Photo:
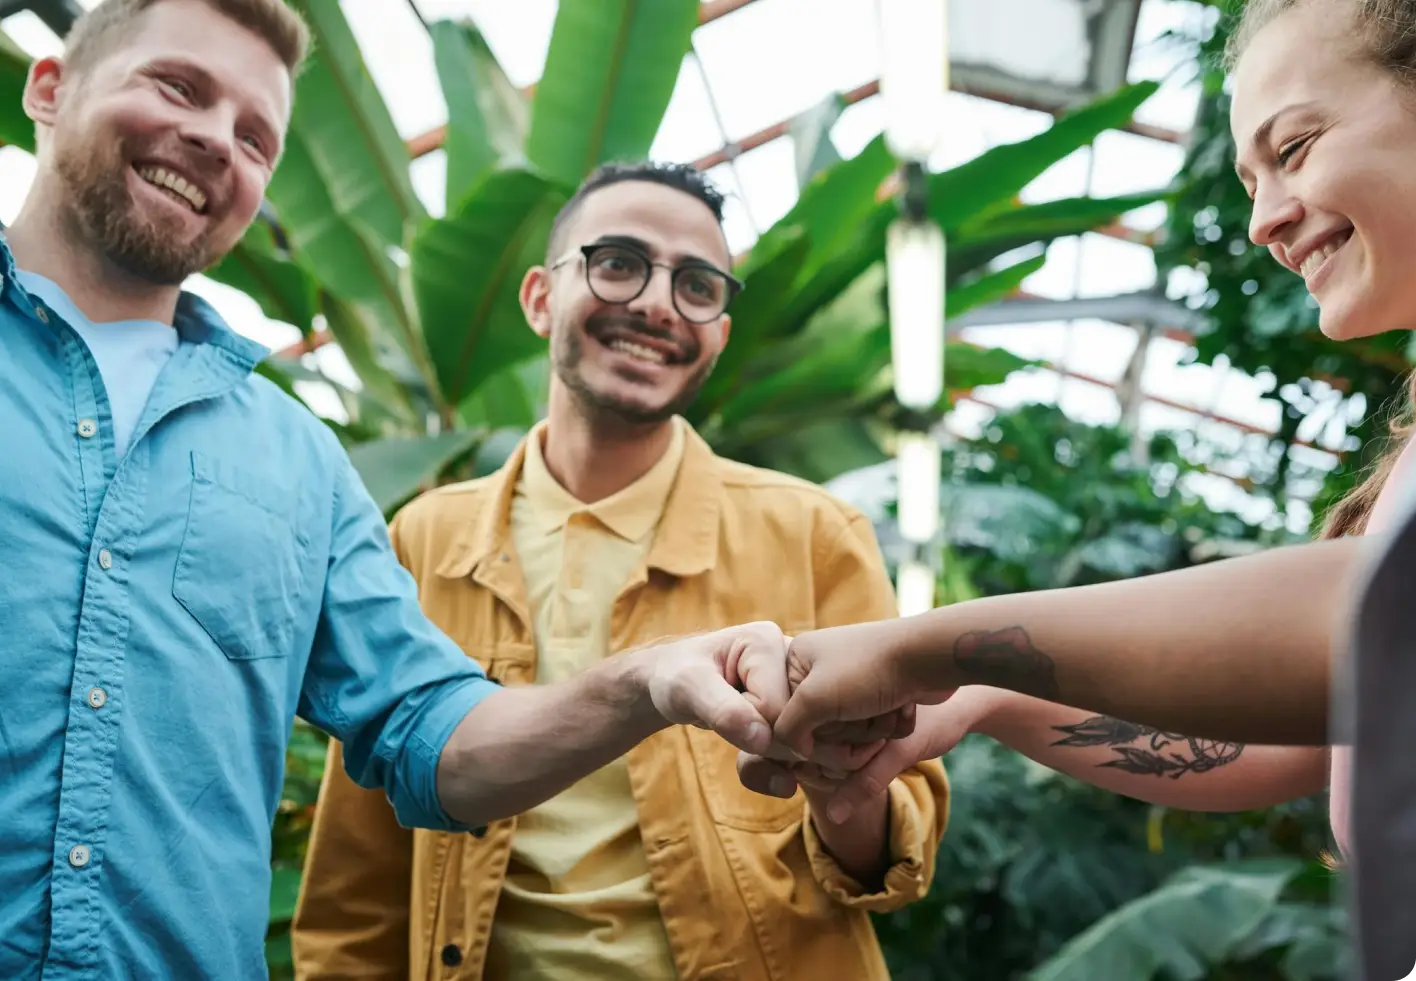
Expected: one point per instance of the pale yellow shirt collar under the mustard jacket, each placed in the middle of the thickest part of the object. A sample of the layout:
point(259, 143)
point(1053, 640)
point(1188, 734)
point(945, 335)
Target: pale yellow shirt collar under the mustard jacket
point(631, 513)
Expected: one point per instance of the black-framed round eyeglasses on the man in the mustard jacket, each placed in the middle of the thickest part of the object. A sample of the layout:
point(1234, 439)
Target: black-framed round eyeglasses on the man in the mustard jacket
point(619, 274)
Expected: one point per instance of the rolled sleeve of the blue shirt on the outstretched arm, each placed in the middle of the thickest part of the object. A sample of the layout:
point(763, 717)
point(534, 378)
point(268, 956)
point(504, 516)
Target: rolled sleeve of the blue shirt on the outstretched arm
point(383, 679)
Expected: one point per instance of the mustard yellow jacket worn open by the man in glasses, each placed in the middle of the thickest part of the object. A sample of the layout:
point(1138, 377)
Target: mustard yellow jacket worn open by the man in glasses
point(744, 887)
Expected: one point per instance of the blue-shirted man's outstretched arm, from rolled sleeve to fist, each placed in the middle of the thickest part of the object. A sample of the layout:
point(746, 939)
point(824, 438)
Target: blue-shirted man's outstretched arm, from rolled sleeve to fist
point(454, 751)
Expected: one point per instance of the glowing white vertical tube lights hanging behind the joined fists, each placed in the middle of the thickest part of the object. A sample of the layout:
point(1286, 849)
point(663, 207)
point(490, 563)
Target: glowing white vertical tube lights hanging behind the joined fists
point(914, 84)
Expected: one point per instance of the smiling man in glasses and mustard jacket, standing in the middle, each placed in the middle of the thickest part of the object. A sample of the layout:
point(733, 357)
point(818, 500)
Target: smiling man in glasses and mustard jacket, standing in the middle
point(611, 526)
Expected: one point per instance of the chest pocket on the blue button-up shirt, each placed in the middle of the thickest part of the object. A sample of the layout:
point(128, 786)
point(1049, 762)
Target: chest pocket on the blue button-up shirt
point(239, 567)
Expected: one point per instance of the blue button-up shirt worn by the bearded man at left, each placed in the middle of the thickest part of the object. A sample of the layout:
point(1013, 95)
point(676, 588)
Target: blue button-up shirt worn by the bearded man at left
point(164, 618)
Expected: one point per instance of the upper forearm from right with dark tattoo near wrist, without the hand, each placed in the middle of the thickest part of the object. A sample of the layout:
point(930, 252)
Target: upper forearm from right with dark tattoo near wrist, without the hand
point(1231, 650)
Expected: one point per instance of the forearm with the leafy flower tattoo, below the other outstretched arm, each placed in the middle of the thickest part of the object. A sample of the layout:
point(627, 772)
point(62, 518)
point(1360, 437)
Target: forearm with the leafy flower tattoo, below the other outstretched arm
point(1143, 762)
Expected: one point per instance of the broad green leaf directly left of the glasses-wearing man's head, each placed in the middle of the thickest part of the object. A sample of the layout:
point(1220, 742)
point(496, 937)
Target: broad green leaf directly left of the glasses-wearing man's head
point(467, 275)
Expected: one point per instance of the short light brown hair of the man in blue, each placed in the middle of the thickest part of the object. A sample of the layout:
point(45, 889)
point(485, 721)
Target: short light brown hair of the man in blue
point(98, 32)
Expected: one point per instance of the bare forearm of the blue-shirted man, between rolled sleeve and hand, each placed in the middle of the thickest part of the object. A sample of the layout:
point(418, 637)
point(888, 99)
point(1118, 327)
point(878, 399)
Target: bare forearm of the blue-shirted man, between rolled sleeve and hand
point(527, 744)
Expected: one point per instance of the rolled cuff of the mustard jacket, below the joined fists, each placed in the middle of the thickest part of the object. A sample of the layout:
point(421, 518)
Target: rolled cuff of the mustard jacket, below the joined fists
point(907, 880)
